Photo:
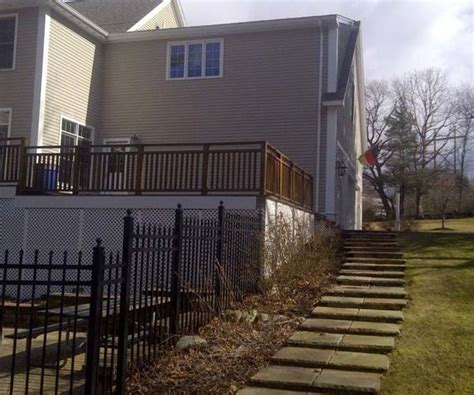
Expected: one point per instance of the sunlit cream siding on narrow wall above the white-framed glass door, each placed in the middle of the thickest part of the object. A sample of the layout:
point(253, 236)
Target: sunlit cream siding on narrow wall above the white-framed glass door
point(74, 79)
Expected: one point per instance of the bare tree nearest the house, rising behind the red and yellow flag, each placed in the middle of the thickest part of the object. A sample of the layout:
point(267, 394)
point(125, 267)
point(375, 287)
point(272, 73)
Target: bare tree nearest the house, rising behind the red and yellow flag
point(379, 107)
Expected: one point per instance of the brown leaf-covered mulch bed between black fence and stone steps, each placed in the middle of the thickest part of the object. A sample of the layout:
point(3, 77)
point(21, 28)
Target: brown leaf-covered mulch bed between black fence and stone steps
point(234, 351)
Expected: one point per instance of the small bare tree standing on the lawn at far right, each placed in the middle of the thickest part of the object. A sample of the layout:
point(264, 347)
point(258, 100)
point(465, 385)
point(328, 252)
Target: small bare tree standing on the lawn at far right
point(443, 193)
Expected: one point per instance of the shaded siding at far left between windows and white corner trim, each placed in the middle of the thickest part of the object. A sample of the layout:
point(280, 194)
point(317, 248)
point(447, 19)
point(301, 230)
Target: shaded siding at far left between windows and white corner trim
point(17, 86)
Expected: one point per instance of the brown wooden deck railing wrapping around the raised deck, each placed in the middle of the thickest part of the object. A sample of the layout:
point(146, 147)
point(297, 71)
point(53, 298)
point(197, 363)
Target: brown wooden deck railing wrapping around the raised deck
point(242, 168)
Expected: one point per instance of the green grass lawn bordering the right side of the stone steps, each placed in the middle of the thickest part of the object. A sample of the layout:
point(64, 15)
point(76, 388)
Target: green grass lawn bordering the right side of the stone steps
point(435, 353)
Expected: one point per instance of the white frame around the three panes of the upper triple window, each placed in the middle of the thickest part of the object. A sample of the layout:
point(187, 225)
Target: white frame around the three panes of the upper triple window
point(203, 59)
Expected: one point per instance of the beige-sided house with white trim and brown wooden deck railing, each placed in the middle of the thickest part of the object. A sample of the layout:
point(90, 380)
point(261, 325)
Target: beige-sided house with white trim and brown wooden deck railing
point(270, 109)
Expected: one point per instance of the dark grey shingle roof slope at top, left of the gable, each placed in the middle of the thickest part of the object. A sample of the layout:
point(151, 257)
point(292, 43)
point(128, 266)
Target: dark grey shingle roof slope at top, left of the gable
point(115, 16)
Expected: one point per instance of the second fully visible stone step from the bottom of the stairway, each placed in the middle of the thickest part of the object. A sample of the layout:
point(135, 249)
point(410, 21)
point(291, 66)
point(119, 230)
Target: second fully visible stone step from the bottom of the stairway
point(332, 359)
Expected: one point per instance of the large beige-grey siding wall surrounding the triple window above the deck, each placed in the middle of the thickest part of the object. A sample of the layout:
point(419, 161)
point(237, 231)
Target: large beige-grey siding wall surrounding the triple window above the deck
point(269, 91)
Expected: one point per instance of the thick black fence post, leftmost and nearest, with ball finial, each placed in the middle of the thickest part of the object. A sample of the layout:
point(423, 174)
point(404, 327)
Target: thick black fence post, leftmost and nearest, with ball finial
point(95, 316)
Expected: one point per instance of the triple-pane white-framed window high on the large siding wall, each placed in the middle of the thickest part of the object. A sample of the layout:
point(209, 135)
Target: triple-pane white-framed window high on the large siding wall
point(195, 59)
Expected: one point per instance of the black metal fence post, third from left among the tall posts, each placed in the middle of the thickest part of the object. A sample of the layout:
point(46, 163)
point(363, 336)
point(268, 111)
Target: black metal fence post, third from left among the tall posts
point(176, 271)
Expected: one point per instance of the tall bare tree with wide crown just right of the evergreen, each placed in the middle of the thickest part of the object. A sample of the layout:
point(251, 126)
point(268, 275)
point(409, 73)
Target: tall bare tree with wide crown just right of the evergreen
point(428, 98)
